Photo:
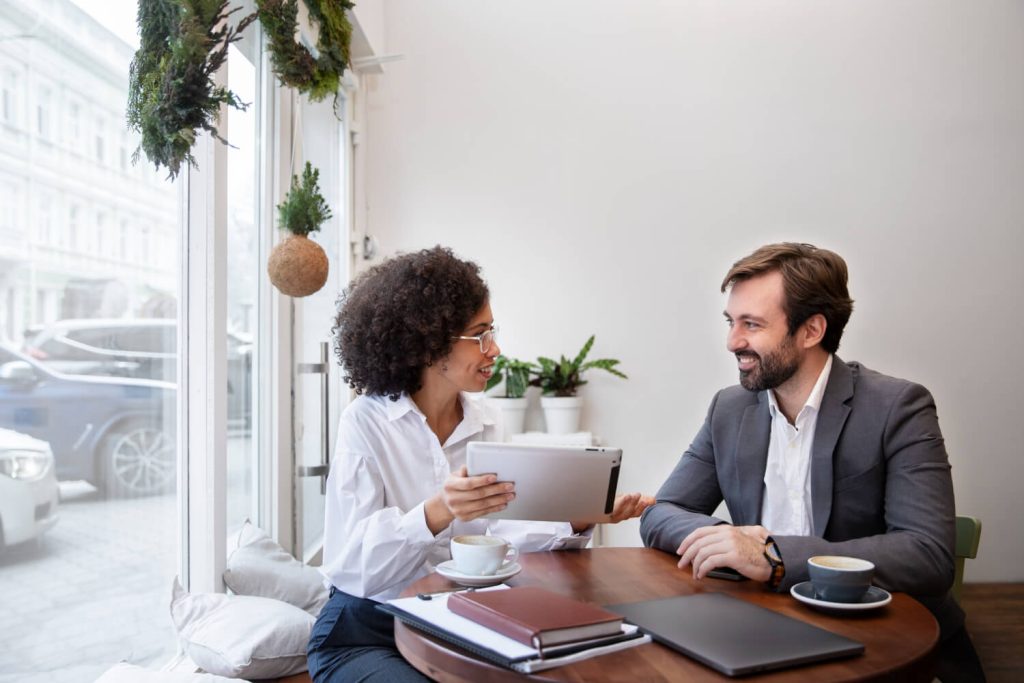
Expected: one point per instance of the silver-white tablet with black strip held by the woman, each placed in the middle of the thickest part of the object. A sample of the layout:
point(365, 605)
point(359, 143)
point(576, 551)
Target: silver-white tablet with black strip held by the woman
point(552, 483)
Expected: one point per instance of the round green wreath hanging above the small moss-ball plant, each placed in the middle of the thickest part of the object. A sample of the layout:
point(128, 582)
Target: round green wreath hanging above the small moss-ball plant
point(294, 65)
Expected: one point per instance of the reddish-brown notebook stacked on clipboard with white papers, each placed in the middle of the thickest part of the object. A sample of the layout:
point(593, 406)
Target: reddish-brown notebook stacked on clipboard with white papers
point(525, 629)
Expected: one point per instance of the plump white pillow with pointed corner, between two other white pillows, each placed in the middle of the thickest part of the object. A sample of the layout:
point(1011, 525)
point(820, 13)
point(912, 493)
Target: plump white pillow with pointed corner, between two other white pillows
point(241, 636)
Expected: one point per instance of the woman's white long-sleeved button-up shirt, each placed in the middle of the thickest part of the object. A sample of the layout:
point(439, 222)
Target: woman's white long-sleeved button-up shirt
point(388, 463)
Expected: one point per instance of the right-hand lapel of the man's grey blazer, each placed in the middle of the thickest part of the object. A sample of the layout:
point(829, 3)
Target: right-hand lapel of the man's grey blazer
point(832, 418)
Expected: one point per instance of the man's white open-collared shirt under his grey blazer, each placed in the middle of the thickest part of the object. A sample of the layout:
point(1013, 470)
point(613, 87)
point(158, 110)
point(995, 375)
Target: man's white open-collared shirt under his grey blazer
point(787, 507)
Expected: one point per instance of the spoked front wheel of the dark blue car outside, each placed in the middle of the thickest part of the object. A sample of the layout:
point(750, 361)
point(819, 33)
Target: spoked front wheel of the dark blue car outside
point(139, 459)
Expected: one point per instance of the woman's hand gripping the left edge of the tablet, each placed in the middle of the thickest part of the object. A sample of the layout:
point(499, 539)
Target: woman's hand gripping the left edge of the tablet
point(467, 498)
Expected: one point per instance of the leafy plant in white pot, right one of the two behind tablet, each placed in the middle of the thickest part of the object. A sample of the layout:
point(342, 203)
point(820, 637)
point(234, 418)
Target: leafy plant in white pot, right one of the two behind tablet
point(560, 382)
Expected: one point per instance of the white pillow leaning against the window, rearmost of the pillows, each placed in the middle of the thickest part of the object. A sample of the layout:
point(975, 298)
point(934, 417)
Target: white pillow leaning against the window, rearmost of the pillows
point(261, 567)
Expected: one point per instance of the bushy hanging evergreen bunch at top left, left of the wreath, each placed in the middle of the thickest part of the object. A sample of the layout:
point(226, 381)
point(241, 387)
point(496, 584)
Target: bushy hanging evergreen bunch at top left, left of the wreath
point(172, 93)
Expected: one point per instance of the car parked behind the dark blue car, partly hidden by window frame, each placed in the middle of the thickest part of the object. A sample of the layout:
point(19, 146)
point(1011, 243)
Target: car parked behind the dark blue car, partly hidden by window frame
point(137, 348)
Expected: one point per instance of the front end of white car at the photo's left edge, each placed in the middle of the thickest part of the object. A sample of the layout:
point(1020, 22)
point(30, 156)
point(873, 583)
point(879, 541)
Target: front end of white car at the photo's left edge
point(29, 492)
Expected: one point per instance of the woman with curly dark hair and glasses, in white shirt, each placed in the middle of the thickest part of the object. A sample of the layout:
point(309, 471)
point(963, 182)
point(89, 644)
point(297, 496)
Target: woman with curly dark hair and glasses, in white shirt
point(413, 336)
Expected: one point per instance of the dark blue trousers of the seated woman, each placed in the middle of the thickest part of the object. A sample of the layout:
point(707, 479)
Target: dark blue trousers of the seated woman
point(353, 642)
